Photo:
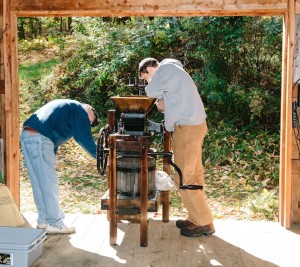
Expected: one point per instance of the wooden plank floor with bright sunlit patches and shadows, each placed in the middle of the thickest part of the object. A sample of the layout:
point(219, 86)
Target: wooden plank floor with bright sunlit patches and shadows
point(235, 243)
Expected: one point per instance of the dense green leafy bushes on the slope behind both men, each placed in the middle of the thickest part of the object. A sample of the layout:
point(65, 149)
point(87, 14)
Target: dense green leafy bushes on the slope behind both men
point(235, 61)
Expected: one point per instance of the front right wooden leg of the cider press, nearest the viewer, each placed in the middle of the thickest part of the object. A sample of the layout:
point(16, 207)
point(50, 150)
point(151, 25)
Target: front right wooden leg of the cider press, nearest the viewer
point(144, 191)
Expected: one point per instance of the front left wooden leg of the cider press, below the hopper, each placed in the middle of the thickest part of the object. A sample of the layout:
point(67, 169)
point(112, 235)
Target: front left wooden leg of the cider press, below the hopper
point(113, 189)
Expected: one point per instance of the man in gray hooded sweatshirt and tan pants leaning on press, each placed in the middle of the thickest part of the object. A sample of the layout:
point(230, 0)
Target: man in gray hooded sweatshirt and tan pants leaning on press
point(184, 114)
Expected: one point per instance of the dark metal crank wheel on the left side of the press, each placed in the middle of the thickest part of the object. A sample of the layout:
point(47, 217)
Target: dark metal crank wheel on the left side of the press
point(102, 149)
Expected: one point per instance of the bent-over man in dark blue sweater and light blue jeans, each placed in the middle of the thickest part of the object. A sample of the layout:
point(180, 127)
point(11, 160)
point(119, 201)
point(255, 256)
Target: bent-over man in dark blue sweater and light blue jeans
point(43, 132)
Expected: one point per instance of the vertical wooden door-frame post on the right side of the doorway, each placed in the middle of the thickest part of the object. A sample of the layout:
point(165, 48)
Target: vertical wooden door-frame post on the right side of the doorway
point(286, 118)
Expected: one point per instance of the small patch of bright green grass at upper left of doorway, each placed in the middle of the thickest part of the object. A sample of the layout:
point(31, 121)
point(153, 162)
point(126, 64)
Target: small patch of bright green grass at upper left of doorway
point(37, 70)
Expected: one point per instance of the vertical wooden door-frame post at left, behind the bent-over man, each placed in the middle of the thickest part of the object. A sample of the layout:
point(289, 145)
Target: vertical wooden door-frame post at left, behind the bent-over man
point(11, 103)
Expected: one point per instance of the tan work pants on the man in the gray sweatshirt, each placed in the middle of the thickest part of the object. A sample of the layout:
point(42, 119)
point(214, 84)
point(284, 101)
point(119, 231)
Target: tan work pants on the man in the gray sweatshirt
point(187, 143)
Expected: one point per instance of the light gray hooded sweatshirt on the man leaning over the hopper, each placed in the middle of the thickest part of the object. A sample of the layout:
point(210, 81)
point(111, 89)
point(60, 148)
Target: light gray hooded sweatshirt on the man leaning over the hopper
point(182, 102)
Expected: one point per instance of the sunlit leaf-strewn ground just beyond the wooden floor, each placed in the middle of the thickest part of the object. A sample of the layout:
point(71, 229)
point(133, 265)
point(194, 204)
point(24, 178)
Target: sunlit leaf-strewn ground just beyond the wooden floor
point(230, 195)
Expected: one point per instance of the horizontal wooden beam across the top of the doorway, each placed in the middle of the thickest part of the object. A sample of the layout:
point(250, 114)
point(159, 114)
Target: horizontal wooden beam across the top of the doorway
point(148, 8)
